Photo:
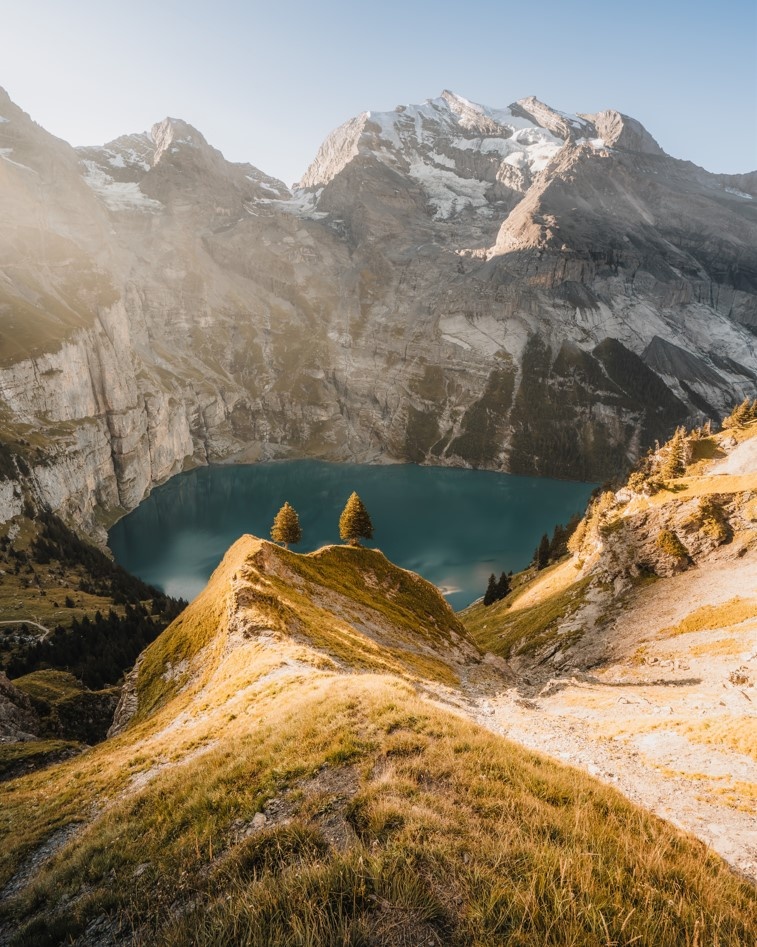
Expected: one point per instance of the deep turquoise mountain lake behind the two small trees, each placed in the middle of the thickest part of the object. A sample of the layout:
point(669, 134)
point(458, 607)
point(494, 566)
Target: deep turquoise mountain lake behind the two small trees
point(453, 526)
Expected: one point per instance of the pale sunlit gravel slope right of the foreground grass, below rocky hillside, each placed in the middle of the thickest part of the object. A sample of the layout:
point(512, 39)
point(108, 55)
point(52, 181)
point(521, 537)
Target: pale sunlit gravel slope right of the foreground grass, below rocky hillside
point(640, 720)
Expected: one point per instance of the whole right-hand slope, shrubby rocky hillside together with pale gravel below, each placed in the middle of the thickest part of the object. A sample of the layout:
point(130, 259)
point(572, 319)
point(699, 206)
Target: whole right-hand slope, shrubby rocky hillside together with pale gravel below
point(636, 658)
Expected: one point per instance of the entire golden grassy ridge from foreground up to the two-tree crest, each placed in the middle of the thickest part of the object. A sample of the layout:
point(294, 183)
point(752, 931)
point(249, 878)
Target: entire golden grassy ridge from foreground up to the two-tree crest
point(283, 769)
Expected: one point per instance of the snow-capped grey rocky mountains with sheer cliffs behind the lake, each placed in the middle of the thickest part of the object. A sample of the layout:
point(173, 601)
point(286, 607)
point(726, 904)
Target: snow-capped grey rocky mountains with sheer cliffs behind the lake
point(518, 289)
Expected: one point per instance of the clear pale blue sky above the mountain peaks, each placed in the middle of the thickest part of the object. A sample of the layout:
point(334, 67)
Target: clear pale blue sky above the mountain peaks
point(265, 82)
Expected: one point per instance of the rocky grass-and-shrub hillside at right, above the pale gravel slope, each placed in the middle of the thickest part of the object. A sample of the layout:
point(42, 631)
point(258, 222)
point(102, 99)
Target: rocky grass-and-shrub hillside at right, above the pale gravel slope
point(656, 526)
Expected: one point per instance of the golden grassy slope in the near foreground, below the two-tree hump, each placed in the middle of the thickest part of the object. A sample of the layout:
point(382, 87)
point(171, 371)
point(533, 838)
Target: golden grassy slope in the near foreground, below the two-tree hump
point(388, 822)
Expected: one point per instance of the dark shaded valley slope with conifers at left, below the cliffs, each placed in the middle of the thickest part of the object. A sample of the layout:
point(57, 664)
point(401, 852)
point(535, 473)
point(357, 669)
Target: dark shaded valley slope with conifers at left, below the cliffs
point(71, 624)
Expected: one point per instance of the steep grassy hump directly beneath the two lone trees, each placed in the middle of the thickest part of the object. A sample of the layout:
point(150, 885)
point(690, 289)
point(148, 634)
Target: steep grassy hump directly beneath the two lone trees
point(351, 604)
